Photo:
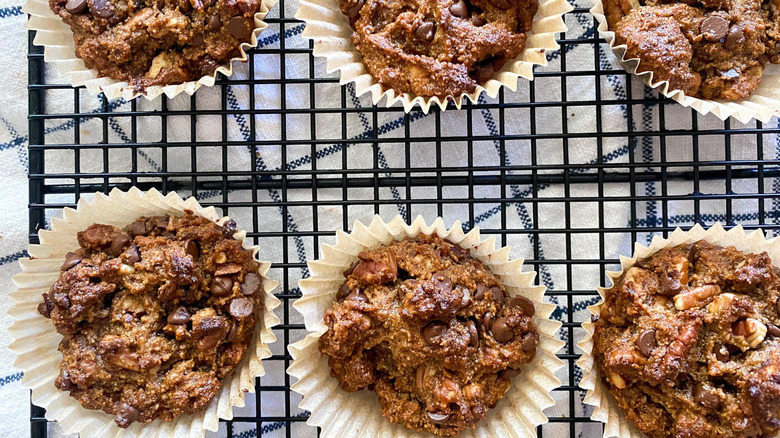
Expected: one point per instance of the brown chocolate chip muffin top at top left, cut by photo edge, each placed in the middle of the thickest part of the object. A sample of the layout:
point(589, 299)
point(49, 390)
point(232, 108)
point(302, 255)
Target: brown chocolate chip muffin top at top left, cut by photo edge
point(157, 42)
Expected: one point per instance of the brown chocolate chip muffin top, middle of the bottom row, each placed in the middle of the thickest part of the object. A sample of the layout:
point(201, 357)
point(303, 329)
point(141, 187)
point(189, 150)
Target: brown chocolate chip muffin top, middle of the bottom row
point(431, 330)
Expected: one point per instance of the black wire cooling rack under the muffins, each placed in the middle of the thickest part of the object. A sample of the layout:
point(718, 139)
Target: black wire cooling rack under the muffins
point(655, 190)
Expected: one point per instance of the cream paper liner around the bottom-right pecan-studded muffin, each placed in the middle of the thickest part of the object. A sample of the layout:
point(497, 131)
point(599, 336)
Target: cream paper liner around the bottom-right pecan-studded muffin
point(605, 407)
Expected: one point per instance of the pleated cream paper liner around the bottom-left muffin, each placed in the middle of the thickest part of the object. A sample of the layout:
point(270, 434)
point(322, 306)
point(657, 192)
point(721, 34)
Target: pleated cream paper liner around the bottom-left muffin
point(35, 339)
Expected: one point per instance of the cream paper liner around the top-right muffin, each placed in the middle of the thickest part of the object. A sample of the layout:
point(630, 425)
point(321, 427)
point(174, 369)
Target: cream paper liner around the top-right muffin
point(761, 105)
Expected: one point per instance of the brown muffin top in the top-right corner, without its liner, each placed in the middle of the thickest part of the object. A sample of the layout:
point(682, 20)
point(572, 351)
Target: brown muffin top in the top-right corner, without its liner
point(712, 49)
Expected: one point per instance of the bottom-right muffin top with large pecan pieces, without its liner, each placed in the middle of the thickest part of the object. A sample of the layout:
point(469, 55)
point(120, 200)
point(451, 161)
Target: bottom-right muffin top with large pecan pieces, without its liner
point(688, 343)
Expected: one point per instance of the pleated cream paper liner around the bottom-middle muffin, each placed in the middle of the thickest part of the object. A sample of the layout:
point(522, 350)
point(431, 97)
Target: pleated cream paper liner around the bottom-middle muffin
point(344, 415)
